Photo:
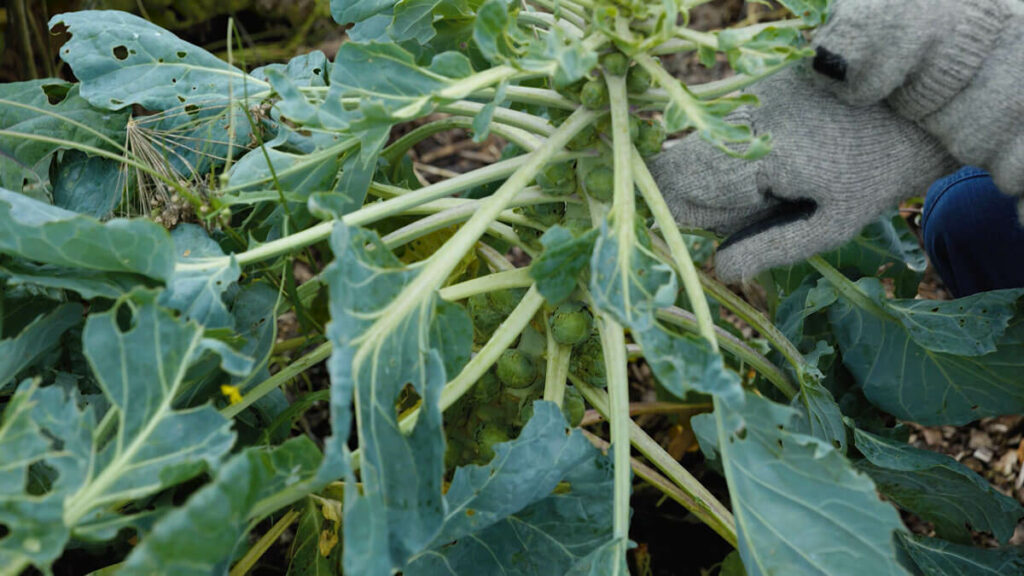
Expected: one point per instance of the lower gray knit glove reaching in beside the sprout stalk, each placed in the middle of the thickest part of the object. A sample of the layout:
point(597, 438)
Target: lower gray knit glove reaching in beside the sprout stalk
point(833, 170)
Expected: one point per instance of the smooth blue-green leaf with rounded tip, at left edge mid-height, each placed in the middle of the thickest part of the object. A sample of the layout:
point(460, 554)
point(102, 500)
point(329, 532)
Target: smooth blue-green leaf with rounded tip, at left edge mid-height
point(47, 234)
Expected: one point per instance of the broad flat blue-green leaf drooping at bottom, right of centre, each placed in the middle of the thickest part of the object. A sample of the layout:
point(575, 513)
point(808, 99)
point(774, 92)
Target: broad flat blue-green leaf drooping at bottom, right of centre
point(801, 508)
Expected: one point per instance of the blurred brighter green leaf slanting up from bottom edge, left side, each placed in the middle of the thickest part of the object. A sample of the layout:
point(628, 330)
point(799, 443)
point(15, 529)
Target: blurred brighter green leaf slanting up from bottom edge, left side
point(211, 525)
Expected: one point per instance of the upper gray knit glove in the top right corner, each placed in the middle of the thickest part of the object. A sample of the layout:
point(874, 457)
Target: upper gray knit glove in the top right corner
point(955, 67)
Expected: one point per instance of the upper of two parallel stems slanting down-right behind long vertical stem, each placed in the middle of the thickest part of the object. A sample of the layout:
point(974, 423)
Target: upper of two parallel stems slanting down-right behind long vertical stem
point(701, 503)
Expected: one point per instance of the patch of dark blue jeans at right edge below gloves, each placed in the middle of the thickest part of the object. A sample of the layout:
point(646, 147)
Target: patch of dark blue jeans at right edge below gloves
point(972, 234)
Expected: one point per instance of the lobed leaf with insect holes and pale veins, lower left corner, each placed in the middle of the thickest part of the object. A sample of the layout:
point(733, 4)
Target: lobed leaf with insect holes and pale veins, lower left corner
point(149, 447)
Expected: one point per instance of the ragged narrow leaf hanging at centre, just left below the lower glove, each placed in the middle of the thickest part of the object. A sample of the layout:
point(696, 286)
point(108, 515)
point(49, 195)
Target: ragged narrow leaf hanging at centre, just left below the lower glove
point(630, 283)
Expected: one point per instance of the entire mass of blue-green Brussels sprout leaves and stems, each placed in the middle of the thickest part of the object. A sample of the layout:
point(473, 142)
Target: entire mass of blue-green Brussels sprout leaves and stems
point(142, 377)
